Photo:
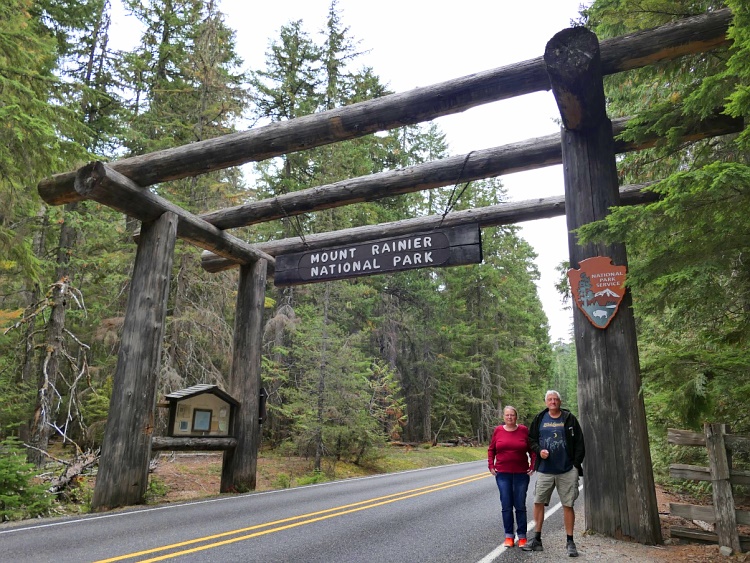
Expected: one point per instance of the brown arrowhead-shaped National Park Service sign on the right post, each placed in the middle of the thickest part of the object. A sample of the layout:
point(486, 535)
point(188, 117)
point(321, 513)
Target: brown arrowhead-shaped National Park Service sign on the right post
point(598, 288)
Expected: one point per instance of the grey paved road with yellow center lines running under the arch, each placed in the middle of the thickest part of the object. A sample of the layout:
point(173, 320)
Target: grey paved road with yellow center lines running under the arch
point(441, 514)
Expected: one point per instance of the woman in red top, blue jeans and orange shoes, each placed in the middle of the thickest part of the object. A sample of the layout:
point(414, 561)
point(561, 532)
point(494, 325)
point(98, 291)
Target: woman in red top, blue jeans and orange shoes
point(511, 461)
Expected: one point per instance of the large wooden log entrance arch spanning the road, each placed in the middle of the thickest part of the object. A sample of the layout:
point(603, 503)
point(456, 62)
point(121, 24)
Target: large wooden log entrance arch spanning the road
point(620, 499)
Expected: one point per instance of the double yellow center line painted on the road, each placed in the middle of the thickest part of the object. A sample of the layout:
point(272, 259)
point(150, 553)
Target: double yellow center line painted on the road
point(310, 518)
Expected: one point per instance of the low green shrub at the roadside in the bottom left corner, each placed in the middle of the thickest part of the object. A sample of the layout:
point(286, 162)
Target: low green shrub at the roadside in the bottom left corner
point(20, 497)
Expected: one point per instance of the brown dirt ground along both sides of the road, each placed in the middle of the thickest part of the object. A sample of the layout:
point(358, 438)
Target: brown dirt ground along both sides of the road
point(185, 477)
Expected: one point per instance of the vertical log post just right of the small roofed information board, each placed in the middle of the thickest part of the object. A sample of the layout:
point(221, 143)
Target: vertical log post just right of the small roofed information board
point(239, 464)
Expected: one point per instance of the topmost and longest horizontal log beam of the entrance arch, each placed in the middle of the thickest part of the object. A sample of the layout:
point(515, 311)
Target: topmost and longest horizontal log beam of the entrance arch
point(678, 38)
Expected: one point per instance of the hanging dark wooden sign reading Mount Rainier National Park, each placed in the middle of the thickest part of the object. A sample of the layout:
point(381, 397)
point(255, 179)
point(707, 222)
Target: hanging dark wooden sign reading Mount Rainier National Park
point(451, 246)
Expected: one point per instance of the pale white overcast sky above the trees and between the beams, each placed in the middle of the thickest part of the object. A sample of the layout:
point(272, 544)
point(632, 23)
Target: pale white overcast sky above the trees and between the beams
point(414, 43)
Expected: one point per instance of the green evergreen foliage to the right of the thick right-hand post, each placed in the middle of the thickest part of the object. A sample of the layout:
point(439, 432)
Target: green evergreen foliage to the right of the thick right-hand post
point(687, 251)
